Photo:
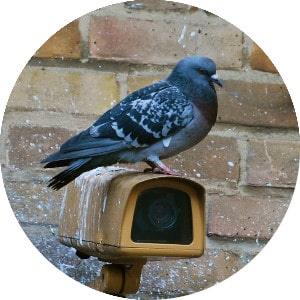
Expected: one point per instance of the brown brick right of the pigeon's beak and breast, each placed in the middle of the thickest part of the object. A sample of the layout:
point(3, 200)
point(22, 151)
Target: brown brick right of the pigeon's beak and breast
point(256, 104)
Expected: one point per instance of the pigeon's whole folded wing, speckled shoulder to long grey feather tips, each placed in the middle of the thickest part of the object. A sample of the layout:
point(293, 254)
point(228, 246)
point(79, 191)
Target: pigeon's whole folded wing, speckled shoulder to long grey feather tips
point(141, 119)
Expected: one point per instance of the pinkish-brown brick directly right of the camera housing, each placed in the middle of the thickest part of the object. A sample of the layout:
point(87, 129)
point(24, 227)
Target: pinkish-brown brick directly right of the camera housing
point(245, 217)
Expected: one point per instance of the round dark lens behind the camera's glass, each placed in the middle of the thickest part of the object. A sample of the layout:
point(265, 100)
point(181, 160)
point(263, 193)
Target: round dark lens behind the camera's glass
point(162, 214)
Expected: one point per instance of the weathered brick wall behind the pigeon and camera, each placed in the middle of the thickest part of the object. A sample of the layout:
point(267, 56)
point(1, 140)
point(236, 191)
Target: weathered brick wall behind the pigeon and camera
point(248, 163)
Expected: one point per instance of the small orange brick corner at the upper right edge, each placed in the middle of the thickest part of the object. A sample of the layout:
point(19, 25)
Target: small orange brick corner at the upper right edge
point(260, 61)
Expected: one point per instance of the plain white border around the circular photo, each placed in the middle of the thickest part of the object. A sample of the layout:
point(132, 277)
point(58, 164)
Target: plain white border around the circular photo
point(26, 25)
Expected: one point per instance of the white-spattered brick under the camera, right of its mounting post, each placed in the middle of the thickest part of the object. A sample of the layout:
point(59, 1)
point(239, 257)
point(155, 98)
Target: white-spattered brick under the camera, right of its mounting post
point(185, 276)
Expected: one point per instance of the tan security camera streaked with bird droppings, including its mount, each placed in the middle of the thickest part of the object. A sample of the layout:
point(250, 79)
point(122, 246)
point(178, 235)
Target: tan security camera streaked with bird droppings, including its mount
point(126, 217)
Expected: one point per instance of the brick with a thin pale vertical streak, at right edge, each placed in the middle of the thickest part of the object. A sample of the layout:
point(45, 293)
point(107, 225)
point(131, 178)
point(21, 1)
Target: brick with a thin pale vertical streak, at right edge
point(272, 163)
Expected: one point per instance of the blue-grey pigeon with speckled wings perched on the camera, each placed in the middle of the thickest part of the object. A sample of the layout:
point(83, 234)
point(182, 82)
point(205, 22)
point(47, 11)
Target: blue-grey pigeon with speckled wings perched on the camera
point(153, 123)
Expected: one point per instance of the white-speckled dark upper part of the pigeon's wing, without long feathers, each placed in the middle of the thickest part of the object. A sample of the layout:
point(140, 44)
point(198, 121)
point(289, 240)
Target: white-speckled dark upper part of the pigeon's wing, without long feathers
point(146, 116)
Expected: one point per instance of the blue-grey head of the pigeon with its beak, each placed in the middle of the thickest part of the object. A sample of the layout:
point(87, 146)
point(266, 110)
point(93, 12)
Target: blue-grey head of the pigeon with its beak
point(195, 73)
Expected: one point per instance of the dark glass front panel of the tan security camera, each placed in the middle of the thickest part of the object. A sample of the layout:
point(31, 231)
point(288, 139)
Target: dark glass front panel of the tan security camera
point(163, 215)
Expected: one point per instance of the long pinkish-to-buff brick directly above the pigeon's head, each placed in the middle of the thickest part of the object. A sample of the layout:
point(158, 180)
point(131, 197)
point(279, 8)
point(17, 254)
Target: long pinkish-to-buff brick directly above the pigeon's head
point(160, 42)
